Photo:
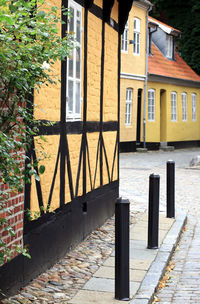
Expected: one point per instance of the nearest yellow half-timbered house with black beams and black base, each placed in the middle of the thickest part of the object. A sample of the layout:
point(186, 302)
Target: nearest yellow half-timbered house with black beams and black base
point(79, 187)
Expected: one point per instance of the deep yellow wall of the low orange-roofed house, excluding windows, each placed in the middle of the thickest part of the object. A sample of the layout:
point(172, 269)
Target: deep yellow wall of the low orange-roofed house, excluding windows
point(164, 129)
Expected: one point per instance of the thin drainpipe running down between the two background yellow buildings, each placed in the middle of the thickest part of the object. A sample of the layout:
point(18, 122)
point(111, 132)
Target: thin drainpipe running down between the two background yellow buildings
point(146, 72)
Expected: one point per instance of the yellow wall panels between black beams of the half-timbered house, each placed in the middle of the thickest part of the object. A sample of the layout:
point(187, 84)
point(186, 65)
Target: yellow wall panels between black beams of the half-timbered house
point(48, 108)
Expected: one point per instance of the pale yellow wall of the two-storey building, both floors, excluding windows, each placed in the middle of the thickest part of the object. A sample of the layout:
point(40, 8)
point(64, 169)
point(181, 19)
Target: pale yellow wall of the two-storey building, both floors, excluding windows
point(135, 65)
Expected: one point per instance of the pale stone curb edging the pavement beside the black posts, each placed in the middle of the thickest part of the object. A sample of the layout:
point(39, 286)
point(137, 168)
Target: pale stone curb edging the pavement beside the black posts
point(148, 286)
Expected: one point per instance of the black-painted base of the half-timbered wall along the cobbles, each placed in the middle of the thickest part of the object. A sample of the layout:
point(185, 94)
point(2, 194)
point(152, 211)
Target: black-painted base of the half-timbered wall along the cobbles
point(52, 236)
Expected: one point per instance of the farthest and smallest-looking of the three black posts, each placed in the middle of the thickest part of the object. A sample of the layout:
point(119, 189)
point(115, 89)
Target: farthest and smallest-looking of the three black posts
point(170, 189)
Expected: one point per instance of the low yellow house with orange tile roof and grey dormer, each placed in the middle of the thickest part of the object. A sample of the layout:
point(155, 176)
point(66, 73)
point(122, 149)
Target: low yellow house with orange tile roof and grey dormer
point(172, 109)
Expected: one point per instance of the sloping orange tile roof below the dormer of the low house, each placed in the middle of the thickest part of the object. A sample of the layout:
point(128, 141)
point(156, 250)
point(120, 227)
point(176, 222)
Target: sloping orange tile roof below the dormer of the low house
point(159, 65)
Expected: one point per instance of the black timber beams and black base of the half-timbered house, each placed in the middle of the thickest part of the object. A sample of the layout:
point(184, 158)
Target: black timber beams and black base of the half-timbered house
point(53, 234)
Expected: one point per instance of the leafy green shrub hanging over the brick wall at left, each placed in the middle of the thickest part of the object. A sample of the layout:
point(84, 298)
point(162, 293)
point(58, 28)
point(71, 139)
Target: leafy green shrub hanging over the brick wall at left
point(30, 44)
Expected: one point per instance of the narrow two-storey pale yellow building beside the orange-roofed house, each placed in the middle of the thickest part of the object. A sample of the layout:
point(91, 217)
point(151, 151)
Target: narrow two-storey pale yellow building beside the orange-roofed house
point(133, 76)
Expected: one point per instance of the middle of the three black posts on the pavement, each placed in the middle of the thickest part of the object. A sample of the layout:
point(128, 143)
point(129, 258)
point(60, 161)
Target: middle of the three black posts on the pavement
point(153, 223)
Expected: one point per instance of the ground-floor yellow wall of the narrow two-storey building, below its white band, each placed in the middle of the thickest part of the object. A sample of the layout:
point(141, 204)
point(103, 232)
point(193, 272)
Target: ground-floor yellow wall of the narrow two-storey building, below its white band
point(128, 132)
